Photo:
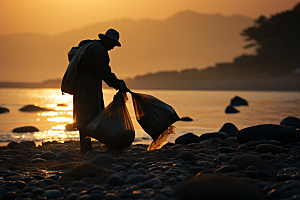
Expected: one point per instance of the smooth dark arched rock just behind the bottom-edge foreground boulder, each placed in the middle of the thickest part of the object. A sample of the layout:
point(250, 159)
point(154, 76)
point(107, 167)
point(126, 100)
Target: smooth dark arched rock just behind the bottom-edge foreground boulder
point(243, 161)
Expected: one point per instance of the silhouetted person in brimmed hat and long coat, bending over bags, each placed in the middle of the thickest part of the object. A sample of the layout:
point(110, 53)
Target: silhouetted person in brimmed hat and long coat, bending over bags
point(93, 67)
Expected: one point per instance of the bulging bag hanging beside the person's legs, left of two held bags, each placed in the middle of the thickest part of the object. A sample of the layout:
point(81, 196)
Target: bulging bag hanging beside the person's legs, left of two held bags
point(113, 126)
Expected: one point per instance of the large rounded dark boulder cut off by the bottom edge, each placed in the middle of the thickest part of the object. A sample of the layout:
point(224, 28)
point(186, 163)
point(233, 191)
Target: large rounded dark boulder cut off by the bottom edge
point(216, 187)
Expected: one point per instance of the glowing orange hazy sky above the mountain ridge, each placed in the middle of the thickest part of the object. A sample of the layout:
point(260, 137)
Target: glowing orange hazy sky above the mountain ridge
point(57, 16)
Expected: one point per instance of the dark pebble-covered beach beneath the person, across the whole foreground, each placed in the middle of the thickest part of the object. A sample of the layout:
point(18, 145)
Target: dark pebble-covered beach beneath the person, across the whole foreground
point(214, 168)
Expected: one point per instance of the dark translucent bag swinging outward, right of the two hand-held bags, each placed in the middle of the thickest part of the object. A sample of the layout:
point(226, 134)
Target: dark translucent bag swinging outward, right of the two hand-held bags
point(152, 114)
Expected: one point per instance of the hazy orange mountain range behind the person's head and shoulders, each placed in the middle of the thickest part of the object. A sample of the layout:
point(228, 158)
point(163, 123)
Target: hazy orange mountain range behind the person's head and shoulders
point(185, 40)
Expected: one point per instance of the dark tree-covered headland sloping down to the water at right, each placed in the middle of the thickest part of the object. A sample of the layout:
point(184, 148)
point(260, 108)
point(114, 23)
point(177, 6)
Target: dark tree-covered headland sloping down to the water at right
point(277, 42)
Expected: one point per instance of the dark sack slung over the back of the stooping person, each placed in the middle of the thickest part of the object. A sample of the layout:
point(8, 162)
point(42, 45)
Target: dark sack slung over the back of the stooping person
point(69, 78)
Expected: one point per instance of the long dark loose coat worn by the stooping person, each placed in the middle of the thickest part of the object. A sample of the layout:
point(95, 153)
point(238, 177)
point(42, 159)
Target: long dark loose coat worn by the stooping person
point(88, 97)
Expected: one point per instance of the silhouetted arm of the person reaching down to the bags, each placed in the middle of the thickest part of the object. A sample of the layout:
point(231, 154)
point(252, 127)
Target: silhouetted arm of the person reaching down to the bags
point(100, 62)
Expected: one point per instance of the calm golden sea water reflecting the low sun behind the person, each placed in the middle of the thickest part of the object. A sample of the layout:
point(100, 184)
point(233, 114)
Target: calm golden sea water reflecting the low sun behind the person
point(206, 108)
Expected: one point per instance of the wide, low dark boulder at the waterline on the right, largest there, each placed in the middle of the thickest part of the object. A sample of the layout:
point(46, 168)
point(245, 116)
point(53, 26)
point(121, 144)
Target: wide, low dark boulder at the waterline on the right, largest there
point(266, 131)
